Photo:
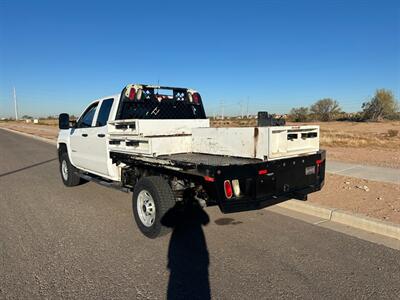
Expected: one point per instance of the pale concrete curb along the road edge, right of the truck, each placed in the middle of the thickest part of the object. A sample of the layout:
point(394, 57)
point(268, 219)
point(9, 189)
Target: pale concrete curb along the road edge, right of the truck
point(339, 216)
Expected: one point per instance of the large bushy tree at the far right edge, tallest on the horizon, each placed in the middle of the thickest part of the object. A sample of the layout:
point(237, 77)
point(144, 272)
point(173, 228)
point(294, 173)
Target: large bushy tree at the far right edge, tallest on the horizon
point(382, 105)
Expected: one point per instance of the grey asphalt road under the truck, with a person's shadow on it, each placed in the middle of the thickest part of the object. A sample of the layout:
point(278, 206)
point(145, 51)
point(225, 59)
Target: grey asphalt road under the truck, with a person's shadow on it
point(58, 242)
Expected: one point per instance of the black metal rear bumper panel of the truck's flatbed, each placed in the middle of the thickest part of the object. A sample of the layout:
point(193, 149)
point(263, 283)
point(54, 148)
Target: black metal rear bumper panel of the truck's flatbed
point(286, 179)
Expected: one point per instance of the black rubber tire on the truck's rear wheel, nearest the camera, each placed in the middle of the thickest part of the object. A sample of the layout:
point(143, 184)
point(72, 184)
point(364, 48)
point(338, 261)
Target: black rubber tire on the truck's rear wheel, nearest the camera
point(163, 199)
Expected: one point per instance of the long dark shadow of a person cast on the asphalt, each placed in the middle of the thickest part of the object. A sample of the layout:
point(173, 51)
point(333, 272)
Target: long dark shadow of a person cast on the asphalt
point(188, 257)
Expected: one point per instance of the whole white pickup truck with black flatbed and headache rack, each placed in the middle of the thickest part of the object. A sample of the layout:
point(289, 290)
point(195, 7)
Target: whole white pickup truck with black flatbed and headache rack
point(157, 142)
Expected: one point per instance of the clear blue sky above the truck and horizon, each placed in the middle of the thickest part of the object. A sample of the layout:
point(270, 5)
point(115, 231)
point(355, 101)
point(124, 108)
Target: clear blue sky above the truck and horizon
point(241, 55)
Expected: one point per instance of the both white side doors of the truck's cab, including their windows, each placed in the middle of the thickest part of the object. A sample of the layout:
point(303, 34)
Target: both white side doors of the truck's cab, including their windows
point(88, 140)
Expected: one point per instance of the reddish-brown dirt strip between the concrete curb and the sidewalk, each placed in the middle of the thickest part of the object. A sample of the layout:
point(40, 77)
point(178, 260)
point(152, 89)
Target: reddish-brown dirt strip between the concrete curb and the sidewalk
point(374, 199)
